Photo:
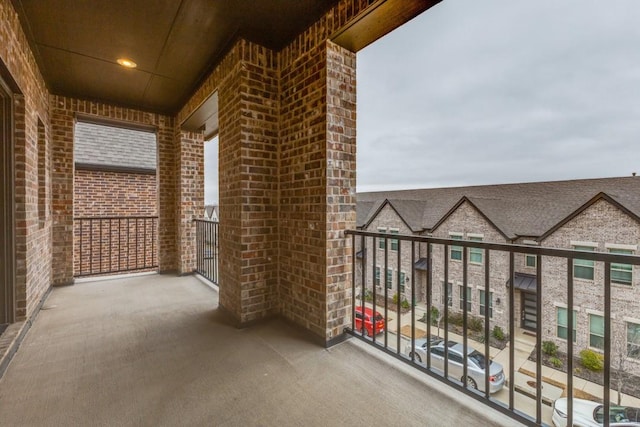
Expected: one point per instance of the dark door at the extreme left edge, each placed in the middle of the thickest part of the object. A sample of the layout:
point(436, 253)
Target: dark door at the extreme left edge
point(6, 205)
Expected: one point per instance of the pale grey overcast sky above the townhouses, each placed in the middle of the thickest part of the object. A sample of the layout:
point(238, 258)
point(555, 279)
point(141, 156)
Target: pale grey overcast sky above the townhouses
point(497, 91)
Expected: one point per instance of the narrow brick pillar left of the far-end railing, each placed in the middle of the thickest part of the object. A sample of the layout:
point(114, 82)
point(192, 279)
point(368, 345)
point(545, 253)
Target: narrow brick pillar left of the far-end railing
point(62, 121)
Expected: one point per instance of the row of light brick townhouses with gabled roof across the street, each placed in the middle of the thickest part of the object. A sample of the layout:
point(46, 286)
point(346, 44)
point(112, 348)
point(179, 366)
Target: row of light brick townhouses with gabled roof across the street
point(598, 214)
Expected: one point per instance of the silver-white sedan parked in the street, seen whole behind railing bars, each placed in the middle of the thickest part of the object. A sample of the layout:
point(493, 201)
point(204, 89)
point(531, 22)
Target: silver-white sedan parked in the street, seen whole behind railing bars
point(476, 363)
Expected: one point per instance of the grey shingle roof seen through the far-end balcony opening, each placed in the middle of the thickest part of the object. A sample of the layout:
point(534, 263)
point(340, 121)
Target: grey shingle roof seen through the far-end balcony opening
point(106, 146)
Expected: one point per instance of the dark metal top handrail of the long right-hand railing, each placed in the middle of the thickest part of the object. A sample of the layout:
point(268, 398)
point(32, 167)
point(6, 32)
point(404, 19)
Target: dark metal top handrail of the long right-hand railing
point(507, 247)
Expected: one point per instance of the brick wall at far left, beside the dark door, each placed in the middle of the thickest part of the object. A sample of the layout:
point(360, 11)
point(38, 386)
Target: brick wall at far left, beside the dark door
point(33, 226)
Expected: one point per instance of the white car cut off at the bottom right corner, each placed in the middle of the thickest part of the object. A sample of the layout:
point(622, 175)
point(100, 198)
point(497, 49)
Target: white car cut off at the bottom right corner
point(591, 414)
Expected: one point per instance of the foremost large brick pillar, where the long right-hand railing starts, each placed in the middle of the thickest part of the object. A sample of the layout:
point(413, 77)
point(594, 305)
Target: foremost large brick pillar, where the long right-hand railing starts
point(317, 188)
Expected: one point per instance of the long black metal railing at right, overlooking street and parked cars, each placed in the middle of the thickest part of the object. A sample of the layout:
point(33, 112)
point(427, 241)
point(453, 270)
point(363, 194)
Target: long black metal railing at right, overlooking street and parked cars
point(389, 277)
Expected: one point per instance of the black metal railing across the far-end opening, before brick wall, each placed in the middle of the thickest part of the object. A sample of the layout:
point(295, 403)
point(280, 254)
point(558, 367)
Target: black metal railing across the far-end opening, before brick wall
point(117, 244)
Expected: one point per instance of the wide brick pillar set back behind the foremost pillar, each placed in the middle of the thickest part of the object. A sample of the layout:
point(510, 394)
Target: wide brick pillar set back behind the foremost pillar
point(248, 163)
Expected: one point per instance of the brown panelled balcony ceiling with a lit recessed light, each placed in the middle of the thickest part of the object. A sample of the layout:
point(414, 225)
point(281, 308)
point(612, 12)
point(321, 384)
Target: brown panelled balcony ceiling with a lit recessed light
point(175, 43)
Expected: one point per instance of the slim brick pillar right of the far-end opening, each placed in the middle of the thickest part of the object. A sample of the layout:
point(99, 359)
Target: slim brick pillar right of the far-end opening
point(190, 166)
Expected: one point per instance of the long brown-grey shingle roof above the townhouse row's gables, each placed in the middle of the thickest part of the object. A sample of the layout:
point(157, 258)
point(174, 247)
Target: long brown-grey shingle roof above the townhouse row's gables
point(524, 209)
